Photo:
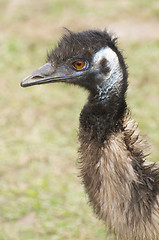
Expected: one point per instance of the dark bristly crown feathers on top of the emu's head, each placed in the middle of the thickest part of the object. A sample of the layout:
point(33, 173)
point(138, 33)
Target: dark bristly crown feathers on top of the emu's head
point(81, 44)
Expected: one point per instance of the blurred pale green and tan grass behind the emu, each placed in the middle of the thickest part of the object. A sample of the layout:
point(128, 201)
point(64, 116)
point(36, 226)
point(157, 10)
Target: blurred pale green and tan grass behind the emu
point(41, 196)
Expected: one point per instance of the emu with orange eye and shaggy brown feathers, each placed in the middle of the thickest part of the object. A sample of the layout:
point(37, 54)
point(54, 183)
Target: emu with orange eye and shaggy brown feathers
point(123, 187)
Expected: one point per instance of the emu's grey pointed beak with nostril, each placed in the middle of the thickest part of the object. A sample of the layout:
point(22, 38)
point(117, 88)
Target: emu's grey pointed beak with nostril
point(46, 74)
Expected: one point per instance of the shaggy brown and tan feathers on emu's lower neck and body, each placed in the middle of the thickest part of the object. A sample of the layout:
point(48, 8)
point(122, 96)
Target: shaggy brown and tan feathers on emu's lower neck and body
point(122, 187)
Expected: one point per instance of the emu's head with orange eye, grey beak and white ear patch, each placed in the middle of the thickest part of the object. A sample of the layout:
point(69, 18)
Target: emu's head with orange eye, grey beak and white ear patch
point(89, 59)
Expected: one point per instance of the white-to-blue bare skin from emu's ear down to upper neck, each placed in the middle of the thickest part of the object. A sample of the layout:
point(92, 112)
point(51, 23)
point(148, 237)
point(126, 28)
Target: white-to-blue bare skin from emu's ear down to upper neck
point(111, 81)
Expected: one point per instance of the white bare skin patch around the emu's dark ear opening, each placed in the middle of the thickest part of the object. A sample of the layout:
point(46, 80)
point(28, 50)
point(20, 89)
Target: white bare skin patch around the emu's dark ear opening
point(113, 78)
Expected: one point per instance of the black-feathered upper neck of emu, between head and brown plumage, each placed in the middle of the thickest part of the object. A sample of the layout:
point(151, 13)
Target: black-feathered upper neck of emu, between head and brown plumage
point(99, 119)
